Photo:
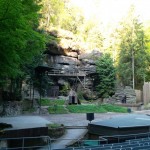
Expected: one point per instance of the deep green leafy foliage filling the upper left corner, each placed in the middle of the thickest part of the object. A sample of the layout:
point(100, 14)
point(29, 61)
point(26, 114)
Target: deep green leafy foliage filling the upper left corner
point(19, 38)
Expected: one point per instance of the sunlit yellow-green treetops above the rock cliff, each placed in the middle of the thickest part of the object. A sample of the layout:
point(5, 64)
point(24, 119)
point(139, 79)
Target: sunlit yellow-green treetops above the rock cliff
point(61, 14)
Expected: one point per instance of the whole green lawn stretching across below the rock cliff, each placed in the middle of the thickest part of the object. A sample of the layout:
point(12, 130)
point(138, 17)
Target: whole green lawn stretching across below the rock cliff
point(58, 107)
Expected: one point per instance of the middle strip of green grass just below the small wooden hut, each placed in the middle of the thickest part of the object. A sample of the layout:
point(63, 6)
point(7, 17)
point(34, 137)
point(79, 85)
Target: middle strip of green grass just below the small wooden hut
point(85, 109)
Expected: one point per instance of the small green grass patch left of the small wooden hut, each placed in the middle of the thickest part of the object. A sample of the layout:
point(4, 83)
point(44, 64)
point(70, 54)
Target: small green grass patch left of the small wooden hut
point(57, 109)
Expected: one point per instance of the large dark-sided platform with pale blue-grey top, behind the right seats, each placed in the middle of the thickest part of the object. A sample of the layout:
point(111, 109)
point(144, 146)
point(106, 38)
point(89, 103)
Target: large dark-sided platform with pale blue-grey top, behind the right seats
point(128, 124)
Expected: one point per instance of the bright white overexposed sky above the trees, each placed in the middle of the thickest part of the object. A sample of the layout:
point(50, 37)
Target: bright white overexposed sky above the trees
point(109, 11)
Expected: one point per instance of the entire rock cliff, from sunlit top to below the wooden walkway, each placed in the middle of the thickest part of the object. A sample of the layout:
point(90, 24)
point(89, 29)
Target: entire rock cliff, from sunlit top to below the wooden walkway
point(67, 57)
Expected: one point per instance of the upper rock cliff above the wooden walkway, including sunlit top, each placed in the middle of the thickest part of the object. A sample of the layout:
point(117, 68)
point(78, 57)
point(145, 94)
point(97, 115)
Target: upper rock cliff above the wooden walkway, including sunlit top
point(69, 55)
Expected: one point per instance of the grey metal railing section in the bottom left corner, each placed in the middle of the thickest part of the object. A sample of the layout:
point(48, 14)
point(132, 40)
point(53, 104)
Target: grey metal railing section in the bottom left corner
point(22, 145)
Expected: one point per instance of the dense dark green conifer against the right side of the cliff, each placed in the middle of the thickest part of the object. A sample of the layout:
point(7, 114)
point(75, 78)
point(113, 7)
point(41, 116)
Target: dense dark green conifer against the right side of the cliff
point(105, 82)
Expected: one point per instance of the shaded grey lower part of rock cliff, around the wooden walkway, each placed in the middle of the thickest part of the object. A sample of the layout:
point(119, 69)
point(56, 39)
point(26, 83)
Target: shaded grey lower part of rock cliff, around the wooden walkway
point(61, 64)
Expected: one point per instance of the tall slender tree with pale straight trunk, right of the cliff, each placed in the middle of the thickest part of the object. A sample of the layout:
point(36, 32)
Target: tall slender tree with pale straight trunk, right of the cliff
point(132, 61)
